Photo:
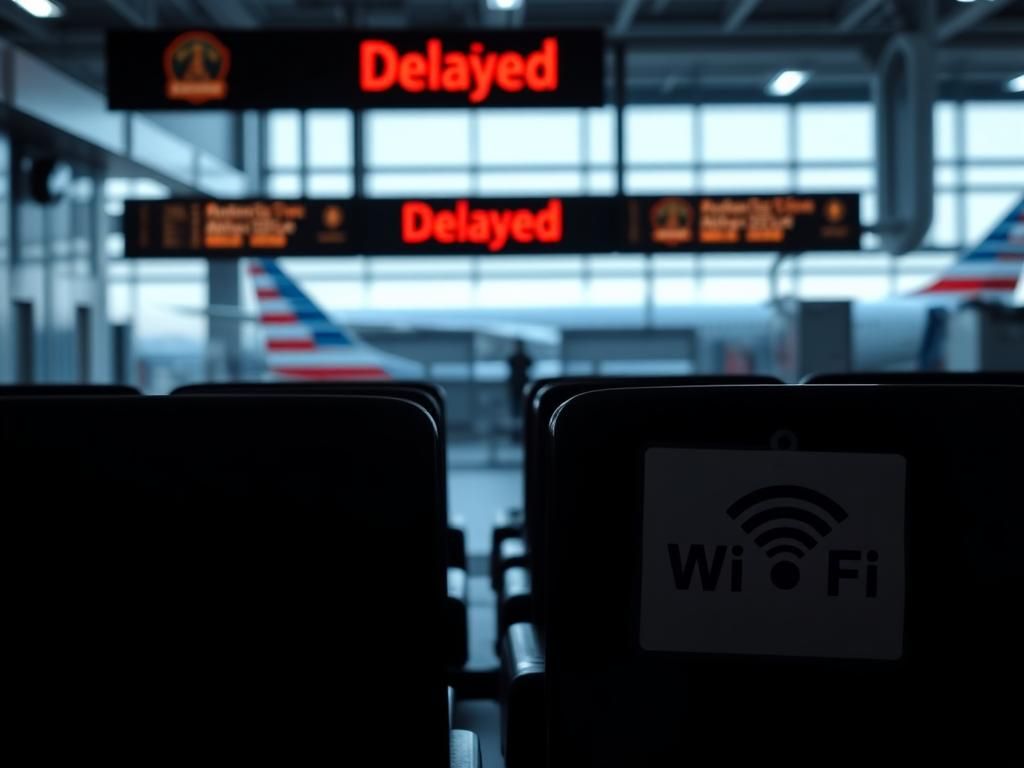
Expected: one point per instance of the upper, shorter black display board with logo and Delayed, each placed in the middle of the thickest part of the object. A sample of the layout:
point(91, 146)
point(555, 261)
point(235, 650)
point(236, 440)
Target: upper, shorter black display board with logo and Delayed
point(304, 69)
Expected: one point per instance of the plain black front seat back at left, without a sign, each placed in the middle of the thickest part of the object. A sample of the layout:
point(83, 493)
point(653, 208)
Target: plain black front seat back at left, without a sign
point(202, 576)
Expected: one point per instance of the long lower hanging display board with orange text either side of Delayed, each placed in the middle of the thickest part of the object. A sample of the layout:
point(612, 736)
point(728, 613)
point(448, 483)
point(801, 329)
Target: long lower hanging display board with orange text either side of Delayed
point(491, 226)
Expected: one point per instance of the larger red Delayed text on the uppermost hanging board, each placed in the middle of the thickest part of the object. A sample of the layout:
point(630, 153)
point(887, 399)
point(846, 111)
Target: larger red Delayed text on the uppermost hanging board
point(476, 73)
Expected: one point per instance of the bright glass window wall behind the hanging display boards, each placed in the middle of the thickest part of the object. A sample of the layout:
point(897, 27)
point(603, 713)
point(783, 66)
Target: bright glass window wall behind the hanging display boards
point(668, 149)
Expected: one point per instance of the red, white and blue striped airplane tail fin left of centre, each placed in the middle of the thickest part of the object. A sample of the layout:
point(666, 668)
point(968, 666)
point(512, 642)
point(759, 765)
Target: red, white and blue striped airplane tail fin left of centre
point(302, 342)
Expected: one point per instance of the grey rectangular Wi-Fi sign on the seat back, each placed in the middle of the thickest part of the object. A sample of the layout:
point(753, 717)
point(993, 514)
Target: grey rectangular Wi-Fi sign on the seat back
point(774, 553)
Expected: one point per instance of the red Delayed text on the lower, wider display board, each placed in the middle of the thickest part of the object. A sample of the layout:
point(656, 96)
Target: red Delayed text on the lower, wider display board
point(492, 228)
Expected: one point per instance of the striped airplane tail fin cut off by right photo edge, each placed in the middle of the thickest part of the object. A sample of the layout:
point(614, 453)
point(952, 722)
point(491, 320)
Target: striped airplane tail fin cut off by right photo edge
point(993, 269)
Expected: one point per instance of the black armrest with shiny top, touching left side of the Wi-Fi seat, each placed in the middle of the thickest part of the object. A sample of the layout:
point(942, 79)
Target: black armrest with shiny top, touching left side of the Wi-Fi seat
point(524, 734)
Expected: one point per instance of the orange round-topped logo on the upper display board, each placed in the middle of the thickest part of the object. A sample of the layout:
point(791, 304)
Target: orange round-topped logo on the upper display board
point(196, 66)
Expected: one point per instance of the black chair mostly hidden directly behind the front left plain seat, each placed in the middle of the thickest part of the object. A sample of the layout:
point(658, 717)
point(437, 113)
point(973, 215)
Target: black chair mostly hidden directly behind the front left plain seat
point(432, 399)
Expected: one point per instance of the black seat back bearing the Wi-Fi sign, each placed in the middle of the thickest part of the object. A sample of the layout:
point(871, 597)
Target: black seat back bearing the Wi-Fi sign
point(688, 621)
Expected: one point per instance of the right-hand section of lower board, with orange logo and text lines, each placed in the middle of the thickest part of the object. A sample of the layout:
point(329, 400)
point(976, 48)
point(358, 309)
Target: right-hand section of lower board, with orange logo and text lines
point(757, 223)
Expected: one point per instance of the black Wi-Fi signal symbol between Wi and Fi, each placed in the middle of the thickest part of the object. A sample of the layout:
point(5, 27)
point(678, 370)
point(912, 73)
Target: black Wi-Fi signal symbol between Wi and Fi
point(787, 523)
